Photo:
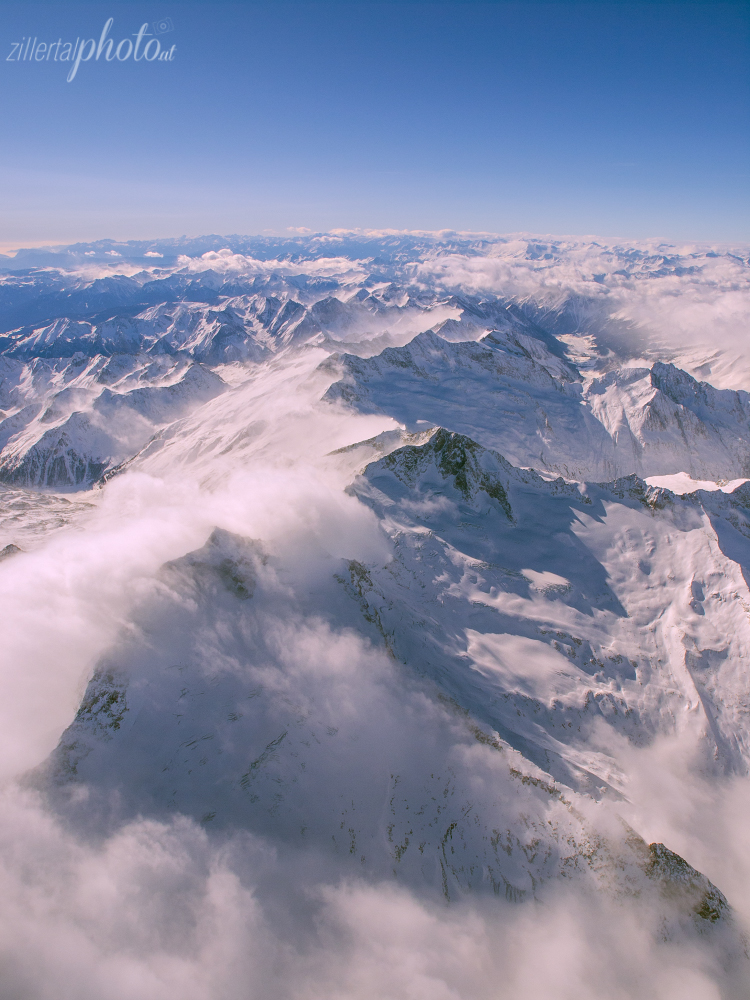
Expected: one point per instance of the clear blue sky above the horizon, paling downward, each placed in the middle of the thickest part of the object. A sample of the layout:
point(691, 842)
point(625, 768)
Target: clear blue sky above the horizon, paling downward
point(615, 119)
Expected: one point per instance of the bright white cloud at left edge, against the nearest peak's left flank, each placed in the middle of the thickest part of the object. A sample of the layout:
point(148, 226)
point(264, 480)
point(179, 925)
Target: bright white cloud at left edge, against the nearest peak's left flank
point(85, 583)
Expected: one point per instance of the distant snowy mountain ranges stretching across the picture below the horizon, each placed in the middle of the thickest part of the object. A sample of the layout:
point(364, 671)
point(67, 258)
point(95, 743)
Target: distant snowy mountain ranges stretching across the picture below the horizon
point(82, 328)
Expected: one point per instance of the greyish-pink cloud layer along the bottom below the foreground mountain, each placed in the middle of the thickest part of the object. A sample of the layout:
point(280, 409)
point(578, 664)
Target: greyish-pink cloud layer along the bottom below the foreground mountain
point(159, 910)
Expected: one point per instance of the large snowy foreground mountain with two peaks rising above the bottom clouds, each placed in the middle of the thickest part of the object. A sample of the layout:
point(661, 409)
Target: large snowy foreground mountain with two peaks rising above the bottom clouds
point(500, 596)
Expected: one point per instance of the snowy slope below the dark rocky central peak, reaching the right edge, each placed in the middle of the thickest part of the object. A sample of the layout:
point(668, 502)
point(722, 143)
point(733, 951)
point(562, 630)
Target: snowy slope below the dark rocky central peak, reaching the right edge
point(550, 610)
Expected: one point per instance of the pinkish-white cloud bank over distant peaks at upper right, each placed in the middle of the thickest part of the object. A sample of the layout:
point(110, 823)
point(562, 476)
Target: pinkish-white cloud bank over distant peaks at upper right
point(690, 304)
